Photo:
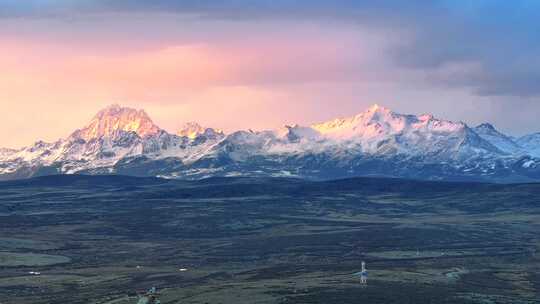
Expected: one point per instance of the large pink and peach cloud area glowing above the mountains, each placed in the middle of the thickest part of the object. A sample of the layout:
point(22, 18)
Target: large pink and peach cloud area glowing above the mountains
point(230, 75)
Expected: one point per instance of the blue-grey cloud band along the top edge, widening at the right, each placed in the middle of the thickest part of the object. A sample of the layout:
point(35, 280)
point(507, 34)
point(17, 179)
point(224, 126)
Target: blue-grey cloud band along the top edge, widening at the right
point(494, 44)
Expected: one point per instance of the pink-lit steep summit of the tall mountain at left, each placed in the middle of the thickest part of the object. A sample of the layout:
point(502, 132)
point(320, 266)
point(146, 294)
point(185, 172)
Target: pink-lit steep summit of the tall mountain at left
point(115, 119)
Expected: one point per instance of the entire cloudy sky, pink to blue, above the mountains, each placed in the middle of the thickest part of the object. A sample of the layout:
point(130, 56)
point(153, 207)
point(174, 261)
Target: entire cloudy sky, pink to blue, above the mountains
point(235, 64)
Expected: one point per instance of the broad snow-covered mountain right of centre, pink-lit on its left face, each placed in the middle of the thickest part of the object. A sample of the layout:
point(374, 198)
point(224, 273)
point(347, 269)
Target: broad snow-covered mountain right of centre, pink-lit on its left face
point(380, 131)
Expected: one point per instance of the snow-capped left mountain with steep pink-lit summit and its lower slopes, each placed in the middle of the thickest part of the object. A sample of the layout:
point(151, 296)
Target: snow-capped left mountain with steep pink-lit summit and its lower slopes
point(114, 134)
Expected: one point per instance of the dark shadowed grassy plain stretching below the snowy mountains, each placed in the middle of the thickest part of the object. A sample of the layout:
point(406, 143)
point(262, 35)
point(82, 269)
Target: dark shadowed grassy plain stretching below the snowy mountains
point(100, 239)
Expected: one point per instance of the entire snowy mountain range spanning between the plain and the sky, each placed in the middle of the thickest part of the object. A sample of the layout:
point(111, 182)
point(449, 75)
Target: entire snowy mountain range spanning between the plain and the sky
point(376, 142)
